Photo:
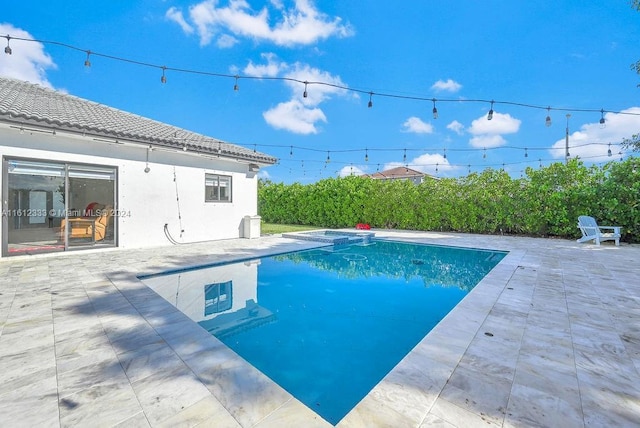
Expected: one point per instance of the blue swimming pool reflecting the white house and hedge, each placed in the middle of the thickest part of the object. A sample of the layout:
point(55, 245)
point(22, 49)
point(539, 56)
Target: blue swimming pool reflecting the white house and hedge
point(328, 324)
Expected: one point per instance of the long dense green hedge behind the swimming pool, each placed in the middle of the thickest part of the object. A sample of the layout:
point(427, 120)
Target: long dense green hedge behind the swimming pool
point(544, 202)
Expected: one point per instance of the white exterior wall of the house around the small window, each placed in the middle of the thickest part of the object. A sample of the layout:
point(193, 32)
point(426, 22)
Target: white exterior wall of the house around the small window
point(148, 201)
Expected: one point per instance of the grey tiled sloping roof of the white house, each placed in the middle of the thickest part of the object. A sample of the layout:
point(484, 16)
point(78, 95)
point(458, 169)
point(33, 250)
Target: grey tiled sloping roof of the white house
point(25, 104)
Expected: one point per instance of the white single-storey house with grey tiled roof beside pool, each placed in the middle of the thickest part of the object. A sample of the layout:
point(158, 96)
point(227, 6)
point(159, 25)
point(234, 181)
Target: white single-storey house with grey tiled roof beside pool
point(77, 174)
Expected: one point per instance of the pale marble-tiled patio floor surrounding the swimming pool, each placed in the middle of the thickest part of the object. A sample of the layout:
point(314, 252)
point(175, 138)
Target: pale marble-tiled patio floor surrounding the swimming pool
point(84, 343)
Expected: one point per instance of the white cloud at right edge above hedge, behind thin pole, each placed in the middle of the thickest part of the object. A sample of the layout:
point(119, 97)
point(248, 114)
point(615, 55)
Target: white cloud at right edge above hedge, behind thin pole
point(591, 141)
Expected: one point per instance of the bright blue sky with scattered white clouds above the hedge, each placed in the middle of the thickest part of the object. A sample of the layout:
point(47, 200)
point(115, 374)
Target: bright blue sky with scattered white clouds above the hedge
point(573, 57)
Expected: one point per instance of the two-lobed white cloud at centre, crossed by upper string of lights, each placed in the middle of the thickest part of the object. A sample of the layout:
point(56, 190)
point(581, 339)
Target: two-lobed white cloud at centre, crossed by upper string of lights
point(300, 114)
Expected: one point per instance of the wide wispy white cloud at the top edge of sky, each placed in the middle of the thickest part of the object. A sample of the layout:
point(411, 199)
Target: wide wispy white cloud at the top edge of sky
point(301, 24)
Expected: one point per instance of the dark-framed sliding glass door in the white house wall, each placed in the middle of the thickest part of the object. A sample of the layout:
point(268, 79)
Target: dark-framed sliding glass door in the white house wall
point(51, 206)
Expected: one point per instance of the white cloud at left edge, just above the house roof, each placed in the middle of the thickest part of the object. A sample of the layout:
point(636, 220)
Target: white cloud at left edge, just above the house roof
point(28, 61)
